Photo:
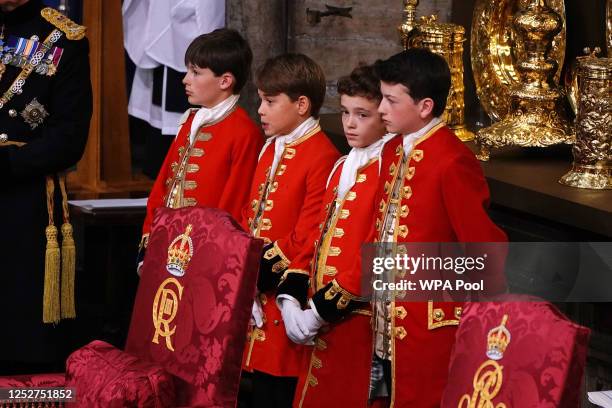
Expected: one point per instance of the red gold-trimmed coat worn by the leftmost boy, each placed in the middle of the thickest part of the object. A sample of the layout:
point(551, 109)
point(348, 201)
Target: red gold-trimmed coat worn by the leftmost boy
point(215, 171)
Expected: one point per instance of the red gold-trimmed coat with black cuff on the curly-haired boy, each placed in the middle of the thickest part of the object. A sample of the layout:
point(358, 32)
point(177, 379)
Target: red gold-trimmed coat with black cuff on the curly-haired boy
point(338, 367)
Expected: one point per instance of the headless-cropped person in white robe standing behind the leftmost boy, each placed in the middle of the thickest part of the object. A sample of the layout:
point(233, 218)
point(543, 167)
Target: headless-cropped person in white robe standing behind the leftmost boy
point(156, 36)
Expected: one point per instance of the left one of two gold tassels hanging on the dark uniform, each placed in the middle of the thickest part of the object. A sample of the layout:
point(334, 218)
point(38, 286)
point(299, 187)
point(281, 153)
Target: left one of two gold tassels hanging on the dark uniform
point(51, 306)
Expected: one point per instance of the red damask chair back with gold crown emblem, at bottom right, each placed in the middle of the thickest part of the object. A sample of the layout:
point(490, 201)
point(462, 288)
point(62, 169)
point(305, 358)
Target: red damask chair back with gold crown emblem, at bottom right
point(543, 363)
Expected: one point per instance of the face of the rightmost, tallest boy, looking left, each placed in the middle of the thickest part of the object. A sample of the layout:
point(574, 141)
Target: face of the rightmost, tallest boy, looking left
point(400, 113)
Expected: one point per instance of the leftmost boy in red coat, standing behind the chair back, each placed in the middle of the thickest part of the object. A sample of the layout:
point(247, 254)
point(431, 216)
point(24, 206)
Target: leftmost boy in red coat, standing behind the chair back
point(213, 157)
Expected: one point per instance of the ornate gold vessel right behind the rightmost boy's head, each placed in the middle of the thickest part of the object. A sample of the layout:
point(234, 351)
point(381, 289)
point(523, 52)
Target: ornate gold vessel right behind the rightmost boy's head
point(446, 40)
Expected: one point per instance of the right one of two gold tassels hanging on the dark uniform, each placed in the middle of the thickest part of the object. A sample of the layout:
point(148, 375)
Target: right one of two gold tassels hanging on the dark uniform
point(68, 258)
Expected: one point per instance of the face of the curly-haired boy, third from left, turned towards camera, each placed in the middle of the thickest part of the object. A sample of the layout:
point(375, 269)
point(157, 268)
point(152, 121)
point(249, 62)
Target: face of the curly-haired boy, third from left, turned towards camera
point(361, 121)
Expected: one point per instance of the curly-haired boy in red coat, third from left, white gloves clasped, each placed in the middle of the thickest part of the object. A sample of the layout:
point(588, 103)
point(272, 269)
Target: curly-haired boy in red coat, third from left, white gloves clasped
point(338, 367)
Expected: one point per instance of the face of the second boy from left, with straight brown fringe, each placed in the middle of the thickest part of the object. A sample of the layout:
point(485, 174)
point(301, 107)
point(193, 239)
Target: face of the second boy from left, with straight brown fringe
point(279, 114)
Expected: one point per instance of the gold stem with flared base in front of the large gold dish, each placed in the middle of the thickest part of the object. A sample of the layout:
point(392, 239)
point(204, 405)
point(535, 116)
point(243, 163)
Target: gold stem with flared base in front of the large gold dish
point(537, 117)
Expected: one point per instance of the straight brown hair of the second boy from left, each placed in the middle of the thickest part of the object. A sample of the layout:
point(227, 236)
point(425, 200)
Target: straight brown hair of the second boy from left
point(294, 75)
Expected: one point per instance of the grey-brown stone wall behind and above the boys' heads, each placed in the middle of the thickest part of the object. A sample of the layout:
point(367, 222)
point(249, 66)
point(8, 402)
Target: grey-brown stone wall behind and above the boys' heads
point(337, 43)
